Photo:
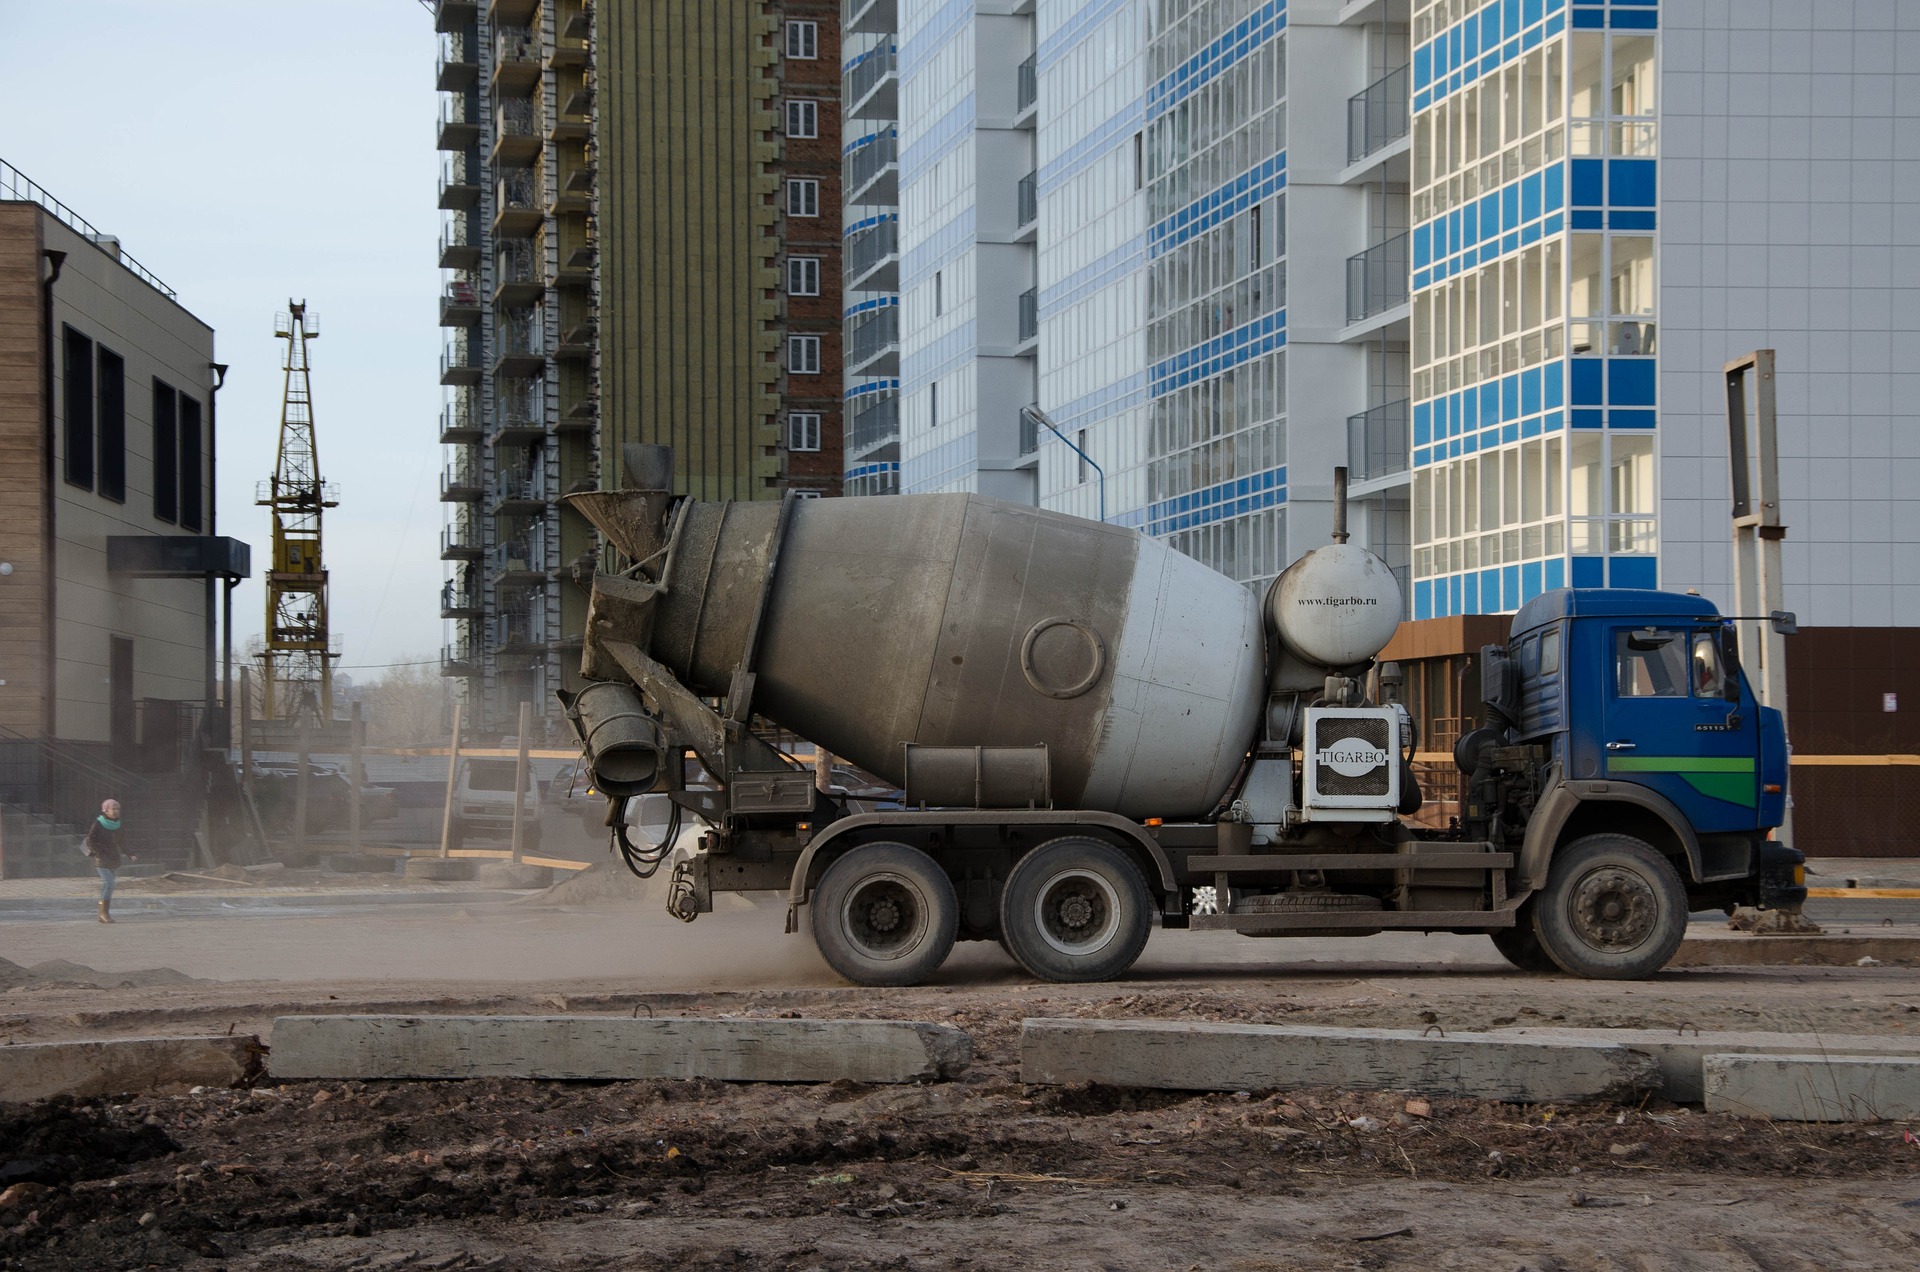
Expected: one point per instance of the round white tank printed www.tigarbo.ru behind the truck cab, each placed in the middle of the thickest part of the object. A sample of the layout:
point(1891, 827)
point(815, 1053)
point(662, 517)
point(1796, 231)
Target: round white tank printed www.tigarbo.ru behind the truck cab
point(1337, 606)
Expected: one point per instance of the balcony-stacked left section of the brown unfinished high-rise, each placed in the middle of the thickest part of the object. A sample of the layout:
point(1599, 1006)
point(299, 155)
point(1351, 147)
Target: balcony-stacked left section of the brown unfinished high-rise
point(517, 362)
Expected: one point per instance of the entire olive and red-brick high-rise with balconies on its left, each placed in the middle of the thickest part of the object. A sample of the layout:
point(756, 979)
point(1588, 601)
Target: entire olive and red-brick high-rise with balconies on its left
point(640, 247)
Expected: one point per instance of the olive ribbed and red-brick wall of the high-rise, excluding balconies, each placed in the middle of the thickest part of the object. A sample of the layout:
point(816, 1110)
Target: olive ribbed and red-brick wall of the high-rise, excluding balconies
point(719, 222)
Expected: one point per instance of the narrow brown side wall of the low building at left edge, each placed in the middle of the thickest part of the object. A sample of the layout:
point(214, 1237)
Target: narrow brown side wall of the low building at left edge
point(22, 474)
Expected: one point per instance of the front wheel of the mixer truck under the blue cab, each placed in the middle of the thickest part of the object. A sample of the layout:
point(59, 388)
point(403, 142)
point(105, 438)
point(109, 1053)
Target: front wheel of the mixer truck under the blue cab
point(1614, 910)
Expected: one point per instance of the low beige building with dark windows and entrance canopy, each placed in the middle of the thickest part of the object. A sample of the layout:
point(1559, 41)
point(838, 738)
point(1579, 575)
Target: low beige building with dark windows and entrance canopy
point(112, 575)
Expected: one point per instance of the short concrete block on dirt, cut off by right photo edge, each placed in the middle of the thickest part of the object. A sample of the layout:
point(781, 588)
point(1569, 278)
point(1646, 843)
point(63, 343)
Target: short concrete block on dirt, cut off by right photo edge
point(1815, 1089)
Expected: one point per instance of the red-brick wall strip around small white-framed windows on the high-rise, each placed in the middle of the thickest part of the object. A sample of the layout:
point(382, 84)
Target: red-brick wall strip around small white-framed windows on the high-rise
point(817, 80)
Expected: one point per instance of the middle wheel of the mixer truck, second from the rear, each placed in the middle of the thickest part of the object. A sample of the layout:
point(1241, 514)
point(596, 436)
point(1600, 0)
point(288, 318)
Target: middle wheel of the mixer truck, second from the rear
point(1076, 912)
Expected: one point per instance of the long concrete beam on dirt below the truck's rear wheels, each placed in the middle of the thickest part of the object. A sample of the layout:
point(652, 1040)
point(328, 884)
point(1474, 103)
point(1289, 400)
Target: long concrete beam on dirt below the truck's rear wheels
point(617, 1048)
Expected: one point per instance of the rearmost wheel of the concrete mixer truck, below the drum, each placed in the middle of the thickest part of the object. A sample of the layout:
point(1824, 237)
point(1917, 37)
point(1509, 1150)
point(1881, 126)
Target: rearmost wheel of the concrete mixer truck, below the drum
point(884, 916)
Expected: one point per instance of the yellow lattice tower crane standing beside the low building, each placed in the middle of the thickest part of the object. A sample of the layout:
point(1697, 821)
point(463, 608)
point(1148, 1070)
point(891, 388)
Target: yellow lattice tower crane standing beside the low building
point(299, 677)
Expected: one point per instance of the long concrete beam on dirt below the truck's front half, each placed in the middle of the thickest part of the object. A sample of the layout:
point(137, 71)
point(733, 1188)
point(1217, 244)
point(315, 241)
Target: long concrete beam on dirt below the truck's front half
point(1237, 1058)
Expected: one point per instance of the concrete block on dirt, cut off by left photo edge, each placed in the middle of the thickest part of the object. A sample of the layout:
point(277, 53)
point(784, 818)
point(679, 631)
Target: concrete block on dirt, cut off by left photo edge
point(41, 1069)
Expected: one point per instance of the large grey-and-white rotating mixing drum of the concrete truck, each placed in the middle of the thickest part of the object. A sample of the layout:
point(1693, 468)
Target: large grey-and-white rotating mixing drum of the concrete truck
point(955, 620)
